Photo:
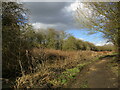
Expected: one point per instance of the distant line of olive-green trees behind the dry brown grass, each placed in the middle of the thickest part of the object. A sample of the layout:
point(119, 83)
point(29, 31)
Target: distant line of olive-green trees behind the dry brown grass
point(60, 40)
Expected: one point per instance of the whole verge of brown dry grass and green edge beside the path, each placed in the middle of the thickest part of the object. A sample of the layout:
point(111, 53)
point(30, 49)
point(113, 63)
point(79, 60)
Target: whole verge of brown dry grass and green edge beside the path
point(59, 68)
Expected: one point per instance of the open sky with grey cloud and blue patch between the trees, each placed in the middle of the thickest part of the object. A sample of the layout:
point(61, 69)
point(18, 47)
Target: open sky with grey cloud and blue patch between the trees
point(60, 15)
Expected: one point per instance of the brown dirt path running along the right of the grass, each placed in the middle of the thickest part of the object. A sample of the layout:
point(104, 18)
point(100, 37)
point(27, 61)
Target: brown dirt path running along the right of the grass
point(97, 75)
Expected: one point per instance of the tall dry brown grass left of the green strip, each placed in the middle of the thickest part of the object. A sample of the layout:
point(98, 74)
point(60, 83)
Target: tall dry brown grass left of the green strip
point(54, 62)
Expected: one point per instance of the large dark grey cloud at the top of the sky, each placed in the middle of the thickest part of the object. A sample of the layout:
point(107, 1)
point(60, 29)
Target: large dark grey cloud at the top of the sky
point(50, 13)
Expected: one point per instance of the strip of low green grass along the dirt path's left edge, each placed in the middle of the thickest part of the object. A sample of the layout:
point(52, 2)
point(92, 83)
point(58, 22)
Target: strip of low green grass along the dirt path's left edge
point(69, 74)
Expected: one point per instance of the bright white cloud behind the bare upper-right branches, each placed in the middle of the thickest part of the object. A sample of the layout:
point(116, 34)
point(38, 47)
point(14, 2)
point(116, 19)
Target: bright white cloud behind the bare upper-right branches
point(79, 10)
